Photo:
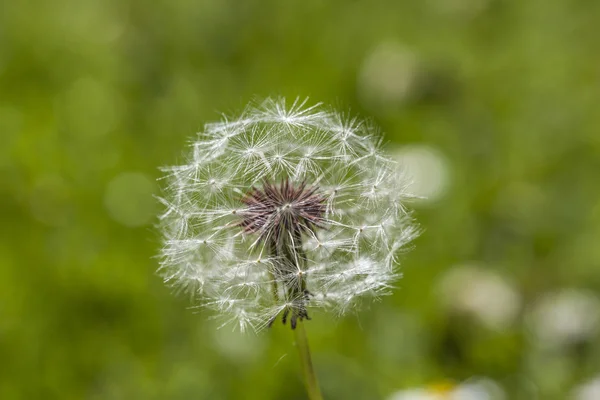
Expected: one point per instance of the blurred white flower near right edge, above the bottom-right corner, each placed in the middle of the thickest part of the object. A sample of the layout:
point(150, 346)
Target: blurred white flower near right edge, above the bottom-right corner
point(565, 317)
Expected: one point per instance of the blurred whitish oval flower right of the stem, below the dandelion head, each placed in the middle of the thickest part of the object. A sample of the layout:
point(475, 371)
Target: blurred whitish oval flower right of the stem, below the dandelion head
point(481, 293)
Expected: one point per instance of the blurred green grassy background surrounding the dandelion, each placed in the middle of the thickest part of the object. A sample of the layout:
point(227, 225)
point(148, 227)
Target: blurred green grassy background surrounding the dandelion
point(493, 105)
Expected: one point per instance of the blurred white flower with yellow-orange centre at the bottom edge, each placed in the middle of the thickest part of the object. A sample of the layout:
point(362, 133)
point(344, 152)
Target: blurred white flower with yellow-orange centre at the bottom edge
point(472, 389)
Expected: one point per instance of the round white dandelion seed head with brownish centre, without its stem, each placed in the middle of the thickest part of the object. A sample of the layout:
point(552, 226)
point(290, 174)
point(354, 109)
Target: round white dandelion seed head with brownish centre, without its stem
point(283, 209)
